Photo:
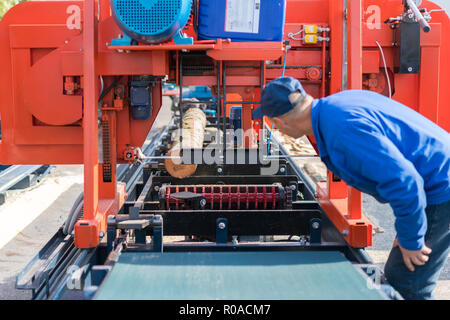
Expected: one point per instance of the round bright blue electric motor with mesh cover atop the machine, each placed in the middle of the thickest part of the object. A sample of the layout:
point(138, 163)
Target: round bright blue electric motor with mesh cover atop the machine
point(151, 21)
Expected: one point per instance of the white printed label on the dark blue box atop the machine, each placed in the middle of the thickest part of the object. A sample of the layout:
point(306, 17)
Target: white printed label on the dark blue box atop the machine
point(243, 16)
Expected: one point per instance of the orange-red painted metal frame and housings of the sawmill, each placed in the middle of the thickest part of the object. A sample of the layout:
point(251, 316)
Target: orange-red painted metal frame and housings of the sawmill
point(50, 85)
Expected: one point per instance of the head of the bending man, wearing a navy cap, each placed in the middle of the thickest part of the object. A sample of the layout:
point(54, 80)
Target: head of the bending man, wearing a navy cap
point(287, 105)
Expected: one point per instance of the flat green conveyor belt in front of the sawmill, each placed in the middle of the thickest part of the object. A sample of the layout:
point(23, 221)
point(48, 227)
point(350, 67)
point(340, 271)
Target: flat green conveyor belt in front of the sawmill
point(235, 276)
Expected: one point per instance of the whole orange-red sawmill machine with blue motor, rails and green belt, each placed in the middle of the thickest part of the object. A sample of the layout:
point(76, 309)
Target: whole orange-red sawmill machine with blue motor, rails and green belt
point(81, 83)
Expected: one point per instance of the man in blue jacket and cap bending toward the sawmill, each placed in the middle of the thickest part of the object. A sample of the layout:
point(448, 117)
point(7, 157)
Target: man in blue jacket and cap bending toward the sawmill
point(389, 151)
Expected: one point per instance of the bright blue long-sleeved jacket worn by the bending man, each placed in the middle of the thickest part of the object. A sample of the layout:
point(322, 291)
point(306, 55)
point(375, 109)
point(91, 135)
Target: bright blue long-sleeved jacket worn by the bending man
point(386, 149)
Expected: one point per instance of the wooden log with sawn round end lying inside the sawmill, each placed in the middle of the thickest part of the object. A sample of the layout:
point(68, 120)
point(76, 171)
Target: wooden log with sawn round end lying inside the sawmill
point(192, 137)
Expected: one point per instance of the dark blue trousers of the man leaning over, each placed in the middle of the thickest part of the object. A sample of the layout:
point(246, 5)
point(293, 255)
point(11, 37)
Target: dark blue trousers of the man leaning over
point(420, 283)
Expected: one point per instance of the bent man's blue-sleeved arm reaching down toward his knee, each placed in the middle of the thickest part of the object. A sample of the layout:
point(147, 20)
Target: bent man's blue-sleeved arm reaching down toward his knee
point(371, 155)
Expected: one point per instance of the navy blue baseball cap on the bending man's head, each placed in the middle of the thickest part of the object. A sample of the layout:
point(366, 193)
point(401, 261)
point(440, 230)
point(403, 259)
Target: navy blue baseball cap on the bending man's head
point(275, 97)
